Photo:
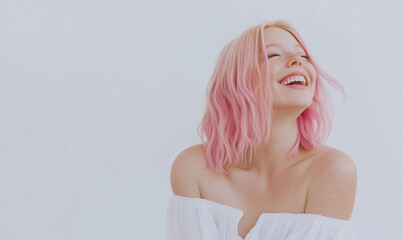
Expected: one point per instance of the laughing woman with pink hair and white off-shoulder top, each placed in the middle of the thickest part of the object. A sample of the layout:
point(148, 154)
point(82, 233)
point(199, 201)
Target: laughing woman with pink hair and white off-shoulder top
point(263, 171)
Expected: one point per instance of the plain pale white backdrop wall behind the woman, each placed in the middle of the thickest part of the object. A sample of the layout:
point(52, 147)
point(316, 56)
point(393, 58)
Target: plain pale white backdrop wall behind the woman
point(97, 98)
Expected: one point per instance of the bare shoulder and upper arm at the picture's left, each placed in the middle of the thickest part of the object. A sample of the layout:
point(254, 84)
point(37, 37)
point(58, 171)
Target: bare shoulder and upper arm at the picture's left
point(186, 170)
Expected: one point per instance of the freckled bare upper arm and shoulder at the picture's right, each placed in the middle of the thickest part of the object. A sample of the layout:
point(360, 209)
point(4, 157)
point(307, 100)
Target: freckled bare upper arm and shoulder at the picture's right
point(333, 186)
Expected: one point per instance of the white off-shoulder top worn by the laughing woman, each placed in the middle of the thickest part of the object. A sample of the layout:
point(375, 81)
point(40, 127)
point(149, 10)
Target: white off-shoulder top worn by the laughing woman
point(201, 219)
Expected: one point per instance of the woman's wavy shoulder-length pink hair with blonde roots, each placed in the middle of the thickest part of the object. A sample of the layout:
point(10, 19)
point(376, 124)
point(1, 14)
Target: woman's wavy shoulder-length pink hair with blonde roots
point(238, 113)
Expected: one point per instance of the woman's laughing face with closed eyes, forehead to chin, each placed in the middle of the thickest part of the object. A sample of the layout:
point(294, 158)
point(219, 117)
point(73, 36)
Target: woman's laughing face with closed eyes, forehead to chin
point(289, 62)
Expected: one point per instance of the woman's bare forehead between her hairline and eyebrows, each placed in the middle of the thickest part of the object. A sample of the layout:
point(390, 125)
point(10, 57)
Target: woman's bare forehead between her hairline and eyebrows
point(278, 37)
